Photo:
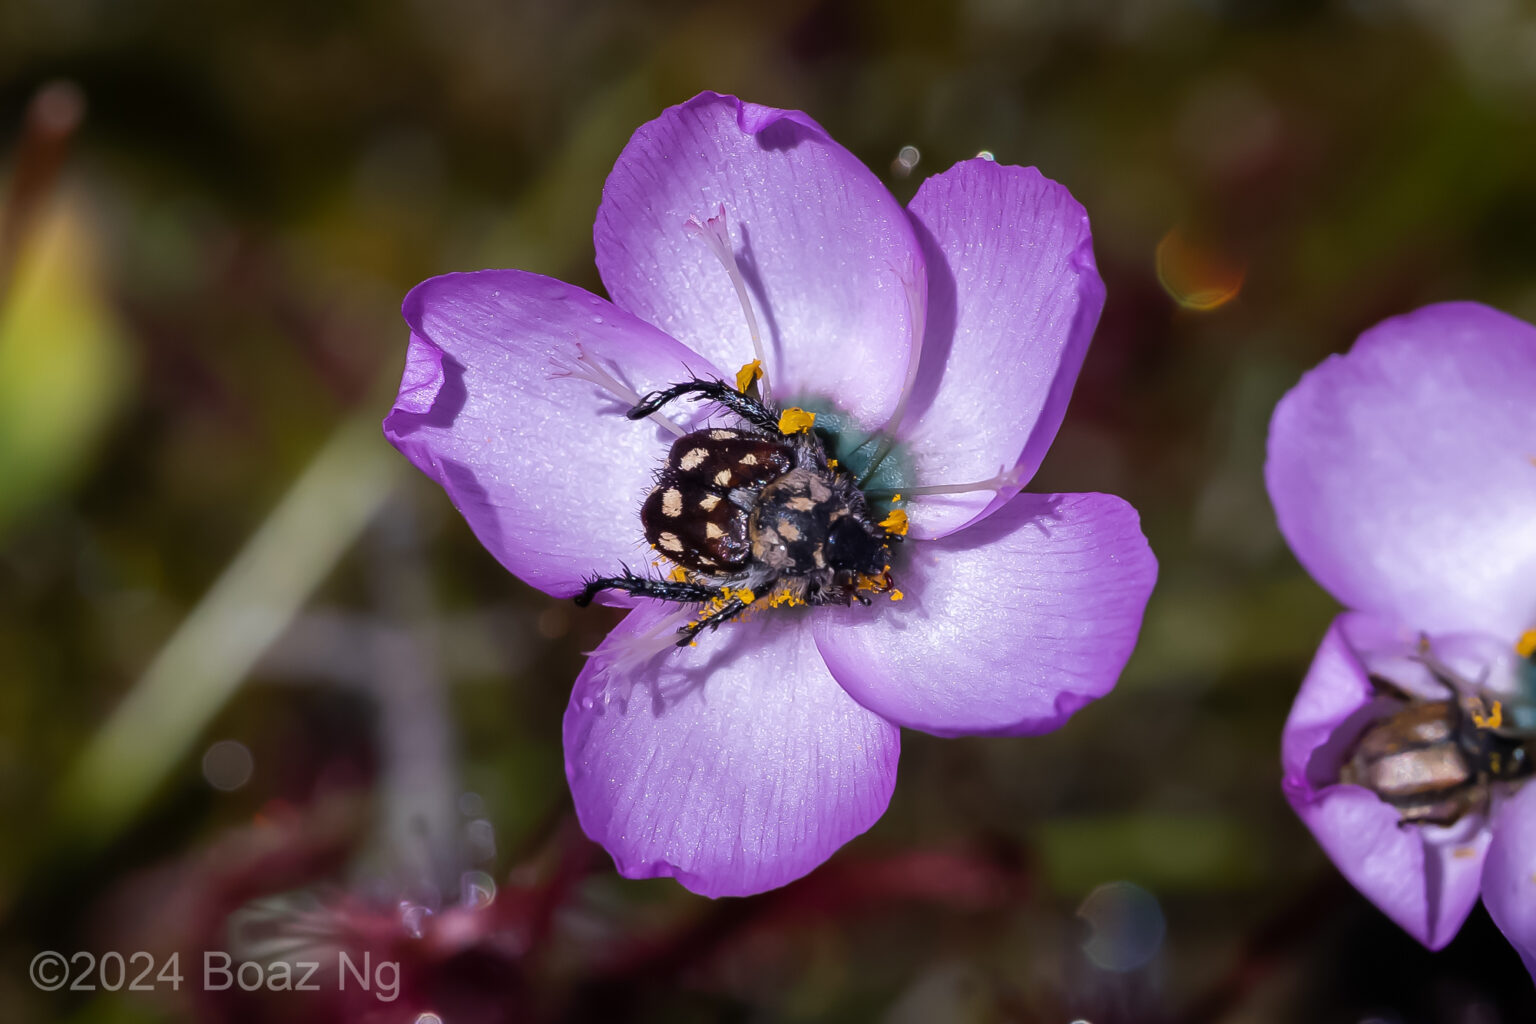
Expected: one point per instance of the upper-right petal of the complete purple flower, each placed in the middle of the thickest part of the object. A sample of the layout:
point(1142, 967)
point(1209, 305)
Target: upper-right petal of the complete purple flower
point(1013, 302)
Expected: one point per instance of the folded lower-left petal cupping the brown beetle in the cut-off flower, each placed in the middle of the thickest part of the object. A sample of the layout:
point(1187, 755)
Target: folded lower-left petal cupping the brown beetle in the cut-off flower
point(1423, 879)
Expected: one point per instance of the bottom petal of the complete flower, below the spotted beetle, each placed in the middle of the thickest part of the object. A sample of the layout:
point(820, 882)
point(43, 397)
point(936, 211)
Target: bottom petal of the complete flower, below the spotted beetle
point(735, 767)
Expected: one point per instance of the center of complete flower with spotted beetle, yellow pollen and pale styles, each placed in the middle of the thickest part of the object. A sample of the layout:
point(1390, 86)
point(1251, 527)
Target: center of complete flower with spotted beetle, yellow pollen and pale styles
point(789, 509)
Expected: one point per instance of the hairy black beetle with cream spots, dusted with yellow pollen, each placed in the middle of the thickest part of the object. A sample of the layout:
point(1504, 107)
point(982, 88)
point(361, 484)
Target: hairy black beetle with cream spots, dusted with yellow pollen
point(755, 510)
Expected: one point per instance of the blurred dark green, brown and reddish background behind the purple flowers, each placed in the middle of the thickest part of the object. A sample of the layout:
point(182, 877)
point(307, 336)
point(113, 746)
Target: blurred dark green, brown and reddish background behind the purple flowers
point(260, 681)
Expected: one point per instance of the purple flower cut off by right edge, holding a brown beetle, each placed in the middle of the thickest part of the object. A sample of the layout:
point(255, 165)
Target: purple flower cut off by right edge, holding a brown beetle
point(1403, 478)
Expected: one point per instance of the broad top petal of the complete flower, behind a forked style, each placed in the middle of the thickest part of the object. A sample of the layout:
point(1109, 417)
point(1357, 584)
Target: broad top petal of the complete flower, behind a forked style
point(827, 253)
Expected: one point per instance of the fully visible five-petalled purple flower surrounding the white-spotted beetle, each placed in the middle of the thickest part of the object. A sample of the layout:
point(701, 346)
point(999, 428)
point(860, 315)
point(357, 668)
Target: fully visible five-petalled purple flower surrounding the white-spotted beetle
point(938, 348)
